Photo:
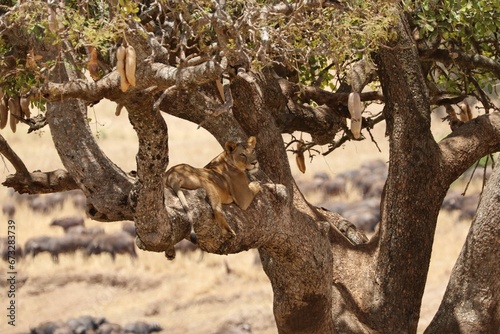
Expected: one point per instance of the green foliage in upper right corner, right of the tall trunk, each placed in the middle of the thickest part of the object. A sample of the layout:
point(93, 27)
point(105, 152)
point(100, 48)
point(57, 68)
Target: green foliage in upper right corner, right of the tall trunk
point(460, 27)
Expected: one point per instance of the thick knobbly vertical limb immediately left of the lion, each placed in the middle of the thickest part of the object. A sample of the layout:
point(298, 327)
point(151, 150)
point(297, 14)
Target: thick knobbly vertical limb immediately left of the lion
point(155, 229)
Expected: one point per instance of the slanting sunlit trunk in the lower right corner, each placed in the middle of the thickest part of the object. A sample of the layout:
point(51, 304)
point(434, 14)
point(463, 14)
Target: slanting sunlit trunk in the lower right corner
point(471, 301)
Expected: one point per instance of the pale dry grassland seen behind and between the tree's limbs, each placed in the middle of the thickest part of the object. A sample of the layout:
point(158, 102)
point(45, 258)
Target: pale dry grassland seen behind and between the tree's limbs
point(186, 295)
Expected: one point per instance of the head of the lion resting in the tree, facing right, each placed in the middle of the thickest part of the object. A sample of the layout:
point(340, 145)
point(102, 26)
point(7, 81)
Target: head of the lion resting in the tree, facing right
point(242, 155)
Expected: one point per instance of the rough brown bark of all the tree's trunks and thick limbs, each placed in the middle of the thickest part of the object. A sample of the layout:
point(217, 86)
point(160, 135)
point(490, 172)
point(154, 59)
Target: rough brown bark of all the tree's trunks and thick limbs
point(322, 283)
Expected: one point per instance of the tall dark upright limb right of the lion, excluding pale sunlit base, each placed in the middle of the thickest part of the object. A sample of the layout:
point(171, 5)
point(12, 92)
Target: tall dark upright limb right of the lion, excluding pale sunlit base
point(408, 210)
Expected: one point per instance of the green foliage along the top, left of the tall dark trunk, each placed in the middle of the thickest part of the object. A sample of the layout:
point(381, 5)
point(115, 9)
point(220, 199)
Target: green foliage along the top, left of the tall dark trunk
point(297, 35)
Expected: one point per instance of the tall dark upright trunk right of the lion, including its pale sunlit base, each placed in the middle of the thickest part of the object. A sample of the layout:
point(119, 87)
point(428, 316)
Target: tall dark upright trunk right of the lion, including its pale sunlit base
point(383, 286)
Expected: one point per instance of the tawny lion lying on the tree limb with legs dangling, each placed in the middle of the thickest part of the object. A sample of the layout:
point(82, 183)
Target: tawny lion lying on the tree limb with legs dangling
point(224, 179)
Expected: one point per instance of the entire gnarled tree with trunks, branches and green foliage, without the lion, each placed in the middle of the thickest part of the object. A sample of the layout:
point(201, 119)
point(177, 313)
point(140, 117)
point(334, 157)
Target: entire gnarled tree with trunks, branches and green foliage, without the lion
point(264, 68)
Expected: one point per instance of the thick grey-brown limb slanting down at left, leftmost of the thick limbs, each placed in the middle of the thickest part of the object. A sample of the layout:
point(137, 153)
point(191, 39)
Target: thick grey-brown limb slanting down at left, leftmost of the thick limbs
point(106, 186)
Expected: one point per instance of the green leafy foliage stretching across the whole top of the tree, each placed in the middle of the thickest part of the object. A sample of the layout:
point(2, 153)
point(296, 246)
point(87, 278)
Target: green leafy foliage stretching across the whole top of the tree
point(315, 42)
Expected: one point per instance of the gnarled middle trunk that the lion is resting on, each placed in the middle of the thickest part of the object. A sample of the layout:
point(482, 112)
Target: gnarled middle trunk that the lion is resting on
point(300, 276)
